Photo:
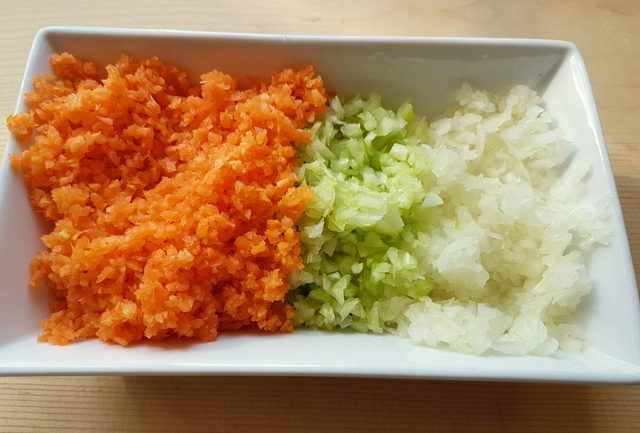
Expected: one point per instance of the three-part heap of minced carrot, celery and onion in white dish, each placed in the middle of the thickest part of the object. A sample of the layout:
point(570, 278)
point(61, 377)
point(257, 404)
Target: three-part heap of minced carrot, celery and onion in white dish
point(182, 210)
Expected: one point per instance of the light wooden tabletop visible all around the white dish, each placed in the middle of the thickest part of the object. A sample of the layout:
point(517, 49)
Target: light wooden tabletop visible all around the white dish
point(607, 32)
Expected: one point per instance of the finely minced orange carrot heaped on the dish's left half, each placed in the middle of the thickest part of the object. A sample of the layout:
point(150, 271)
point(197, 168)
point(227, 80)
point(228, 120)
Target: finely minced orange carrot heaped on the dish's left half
point(174, 206)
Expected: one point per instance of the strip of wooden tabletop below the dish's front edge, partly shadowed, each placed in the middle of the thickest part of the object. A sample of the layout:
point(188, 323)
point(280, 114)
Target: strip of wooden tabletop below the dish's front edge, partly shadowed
point(272, 404)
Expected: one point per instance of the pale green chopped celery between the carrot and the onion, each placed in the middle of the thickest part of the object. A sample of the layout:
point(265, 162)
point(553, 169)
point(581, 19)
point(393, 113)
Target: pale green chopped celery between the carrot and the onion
point(363, 233)
